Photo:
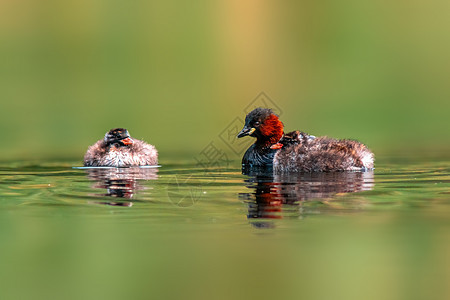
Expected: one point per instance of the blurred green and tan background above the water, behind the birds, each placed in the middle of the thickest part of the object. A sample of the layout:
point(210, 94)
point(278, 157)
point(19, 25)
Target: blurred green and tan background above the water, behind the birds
point(176, 73)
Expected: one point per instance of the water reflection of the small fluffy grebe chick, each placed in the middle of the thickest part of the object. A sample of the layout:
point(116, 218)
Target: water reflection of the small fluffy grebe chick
point(120, 182)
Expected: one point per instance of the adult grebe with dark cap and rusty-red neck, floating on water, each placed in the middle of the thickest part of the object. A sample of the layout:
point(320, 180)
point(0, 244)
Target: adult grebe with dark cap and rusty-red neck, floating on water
point(297, 151)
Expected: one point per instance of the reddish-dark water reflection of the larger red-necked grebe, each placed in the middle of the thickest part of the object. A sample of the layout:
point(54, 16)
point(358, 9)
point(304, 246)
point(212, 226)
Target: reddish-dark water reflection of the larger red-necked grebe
point(277, 196)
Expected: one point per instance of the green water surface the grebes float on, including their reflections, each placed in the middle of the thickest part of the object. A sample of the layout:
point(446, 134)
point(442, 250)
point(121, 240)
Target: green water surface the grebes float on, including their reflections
point(180, 231)
